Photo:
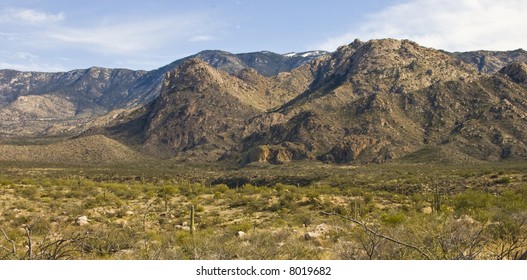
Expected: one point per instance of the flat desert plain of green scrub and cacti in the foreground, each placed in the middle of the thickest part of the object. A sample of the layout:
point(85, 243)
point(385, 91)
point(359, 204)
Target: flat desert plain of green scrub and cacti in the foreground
point(388, 211)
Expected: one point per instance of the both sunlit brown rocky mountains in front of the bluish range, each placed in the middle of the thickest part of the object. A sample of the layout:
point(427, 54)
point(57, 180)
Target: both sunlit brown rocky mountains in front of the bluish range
point(369, 101)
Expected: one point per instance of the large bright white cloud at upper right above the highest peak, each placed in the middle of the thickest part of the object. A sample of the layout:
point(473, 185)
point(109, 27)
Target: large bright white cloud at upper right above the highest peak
point(454, 25)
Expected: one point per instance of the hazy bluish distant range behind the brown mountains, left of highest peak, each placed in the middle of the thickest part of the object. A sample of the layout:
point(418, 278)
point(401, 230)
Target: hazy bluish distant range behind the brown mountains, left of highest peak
point(43, 104)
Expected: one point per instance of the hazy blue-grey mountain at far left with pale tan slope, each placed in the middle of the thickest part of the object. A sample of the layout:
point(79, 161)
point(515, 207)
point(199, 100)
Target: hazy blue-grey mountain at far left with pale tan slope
point(33, 103)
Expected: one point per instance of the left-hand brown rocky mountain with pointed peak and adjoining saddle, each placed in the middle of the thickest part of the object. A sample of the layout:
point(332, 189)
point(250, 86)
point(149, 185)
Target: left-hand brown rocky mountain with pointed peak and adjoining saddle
point(202, 111)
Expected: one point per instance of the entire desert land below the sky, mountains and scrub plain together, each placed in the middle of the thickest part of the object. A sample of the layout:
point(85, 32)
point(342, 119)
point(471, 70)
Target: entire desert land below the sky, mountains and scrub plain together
point(266, 156)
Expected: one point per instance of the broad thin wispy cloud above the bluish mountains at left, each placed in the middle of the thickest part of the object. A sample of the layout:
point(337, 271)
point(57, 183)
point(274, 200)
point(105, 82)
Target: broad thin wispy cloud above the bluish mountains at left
point(107, 40)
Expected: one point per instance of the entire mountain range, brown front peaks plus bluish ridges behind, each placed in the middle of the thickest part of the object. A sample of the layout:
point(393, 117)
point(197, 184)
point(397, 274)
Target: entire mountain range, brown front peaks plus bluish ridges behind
point(372, 101)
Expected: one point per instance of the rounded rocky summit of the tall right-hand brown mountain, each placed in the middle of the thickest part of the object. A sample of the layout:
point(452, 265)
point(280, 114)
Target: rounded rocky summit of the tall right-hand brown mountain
point(399, 65)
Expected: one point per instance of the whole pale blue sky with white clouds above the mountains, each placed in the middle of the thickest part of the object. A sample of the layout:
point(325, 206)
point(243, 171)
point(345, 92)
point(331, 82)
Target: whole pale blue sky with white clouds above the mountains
point(60, 35)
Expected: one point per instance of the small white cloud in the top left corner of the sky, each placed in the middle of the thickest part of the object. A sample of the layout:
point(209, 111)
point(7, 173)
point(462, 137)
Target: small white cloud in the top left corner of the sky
point(29, 16)
